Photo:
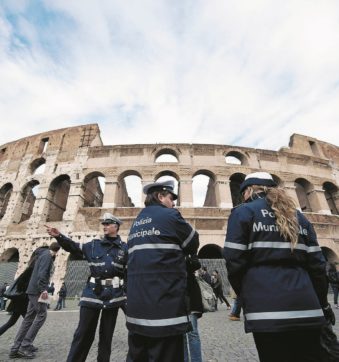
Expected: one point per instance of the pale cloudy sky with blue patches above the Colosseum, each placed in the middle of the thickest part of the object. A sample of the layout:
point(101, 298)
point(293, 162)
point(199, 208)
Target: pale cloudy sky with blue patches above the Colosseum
point(244, 73)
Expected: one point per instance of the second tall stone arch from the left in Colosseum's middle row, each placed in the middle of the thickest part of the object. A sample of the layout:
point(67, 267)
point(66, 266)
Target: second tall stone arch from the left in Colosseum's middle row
point(26, 201)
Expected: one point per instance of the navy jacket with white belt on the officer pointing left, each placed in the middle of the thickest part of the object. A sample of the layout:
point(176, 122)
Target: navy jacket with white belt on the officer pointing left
point(107, 258)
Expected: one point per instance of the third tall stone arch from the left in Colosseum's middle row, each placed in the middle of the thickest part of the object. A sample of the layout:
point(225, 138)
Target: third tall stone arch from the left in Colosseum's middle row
point(57, 197)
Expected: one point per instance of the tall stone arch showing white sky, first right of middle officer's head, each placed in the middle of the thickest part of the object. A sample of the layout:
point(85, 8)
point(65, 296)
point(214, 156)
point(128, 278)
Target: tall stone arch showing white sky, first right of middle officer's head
point(203, 188)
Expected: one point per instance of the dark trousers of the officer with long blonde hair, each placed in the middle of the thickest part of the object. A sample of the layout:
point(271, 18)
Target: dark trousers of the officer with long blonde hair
point(292, 346)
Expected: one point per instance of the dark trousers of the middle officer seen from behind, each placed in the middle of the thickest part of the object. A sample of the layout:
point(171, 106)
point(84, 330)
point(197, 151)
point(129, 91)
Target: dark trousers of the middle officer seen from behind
point(152, 349)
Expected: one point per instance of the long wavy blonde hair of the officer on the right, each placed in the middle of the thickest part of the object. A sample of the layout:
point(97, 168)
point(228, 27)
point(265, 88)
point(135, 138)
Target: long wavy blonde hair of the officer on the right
point(284, 209)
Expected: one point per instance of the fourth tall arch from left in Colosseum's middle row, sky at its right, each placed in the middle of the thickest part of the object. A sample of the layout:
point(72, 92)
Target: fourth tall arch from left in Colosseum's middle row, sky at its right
point(93, 189)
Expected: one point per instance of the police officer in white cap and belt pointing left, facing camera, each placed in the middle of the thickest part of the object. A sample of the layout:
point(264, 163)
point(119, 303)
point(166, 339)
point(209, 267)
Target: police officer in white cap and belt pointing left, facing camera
point(104, 291)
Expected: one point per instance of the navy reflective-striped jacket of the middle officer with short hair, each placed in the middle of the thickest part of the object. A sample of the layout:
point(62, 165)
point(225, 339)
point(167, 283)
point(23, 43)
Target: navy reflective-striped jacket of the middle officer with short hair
point(156, 273)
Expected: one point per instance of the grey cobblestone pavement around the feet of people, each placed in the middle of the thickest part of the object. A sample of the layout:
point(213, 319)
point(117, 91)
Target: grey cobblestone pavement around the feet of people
point(222, 340)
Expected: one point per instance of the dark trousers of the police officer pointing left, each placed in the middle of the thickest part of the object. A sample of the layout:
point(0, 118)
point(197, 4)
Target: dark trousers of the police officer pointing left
point(85, 333)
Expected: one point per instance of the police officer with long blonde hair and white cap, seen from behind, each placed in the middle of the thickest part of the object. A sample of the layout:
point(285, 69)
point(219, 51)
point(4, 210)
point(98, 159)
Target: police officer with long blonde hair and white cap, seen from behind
point(276, 266)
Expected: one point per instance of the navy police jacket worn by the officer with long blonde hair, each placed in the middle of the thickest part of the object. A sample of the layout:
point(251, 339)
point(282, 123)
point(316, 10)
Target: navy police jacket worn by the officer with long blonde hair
point(281, 290)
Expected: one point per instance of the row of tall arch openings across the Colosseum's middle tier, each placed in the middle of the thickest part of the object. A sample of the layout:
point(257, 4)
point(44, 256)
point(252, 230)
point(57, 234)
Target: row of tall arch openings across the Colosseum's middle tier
point(129, 193)
